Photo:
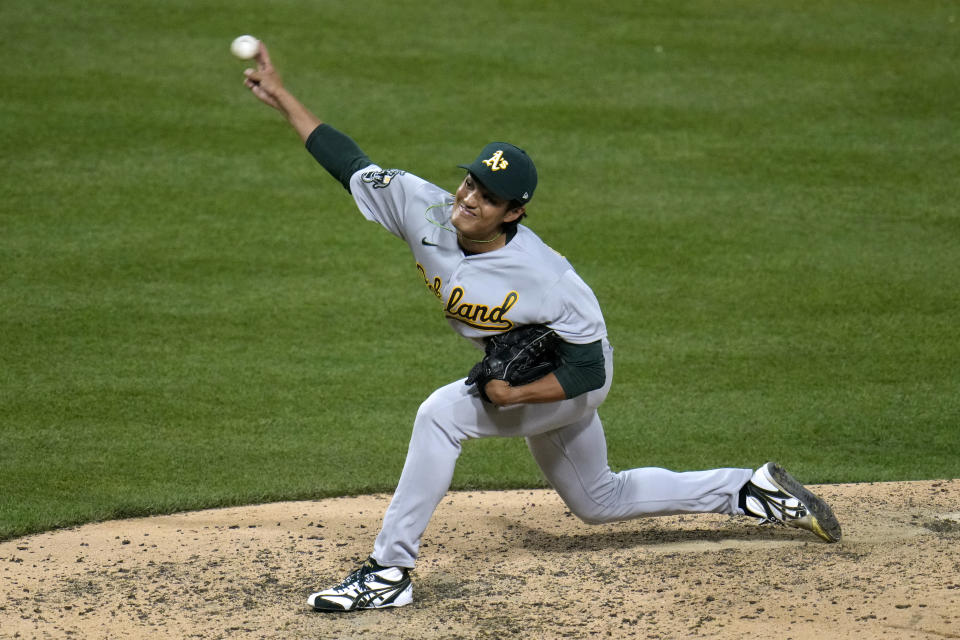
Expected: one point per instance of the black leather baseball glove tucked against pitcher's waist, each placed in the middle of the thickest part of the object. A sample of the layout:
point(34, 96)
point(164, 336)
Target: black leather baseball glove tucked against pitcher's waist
point(518, 356)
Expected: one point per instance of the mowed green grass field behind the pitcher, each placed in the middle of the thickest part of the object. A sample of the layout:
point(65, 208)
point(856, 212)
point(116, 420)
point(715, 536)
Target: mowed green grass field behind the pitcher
point(764, 198)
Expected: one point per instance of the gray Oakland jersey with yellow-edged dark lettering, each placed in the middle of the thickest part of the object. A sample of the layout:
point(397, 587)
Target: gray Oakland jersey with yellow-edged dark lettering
point(525, 282)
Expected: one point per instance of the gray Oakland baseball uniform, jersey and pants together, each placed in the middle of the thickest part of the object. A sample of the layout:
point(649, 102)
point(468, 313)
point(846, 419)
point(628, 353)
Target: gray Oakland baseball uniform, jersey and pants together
point(525, 282)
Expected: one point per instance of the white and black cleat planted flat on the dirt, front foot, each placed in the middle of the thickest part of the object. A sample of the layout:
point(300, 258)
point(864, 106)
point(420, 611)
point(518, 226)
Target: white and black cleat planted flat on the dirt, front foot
point(369, 587)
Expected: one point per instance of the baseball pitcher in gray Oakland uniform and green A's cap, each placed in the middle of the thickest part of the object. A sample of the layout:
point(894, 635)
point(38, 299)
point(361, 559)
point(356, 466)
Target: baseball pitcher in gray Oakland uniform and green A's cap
point(547, 363)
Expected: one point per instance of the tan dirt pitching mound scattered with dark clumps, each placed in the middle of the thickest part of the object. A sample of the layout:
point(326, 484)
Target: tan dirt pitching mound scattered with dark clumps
point(500, 564)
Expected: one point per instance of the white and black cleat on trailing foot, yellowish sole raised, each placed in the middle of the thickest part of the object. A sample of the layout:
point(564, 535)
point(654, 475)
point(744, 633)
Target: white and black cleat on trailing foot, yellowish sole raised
point(773, 495)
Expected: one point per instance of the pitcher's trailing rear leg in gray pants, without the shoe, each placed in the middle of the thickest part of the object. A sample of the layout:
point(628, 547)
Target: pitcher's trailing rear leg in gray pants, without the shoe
point(574, 461)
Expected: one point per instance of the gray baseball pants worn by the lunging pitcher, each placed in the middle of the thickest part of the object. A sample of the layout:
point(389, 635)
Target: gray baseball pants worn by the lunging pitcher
point(567, 441)
